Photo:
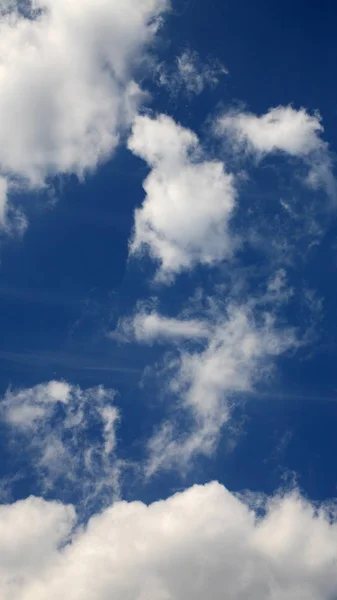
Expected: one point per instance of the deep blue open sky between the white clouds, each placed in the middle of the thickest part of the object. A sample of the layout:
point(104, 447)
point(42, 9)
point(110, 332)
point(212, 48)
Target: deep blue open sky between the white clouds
point(64, 284)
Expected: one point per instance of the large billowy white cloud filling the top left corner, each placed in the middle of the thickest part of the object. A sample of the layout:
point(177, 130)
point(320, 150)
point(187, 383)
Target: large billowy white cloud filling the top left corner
point(65, 82)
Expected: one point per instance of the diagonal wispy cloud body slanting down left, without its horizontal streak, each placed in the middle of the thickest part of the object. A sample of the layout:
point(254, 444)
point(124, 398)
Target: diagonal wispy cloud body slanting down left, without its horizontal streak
point(237, 355)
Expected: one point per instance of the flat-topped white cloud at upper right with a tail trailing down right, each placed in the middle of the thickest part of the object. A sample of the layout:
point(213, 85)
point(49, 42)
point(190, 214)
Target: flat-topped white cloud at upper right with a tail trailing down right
point(282, 129)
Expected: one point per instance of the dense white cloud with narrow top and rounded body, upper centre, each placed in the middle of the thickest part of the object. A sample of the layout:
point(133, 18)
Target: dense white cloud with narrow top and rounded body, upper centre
point(189, 201)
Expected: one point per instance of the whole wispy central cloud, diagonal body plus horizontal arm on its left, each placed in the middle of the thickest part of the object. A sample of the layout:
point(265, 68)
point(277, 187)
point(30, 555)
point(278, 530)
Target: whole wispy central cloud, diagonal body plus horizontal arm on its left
point(221, 348)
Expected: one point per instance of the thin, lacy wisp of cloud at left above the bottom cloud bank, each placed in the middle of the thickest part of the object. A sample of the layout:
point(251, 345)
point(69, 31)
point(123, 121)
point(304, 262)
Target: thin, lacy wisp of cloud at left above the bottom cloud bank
point(69, 436)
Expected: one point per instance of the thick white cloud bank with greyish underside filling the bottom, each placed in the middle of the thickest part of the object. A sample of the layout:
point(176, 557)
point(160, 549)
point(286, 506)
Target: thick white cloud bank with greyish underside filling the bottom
point(204, 542)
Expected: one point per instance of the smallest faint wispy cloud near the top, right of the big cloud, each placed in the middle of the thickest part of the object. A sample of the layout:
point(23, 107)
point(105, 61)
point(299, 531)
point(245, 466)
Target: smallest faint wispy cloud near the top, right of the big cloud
point(190, 74)
